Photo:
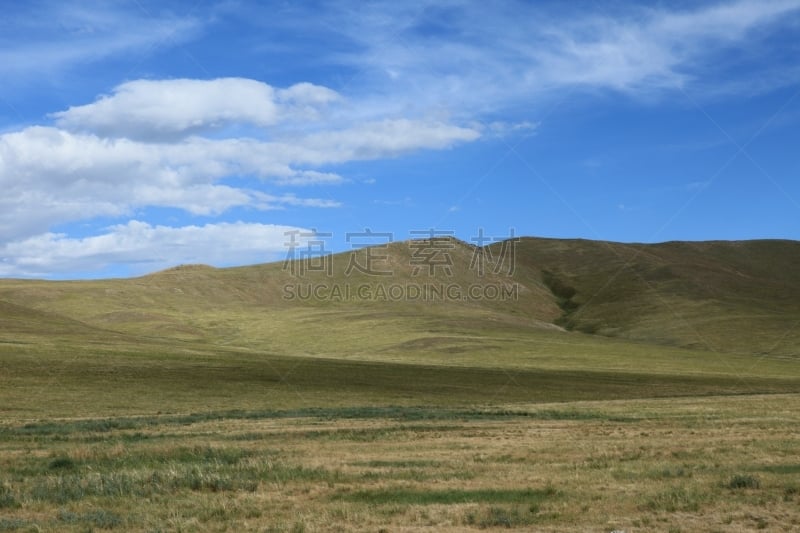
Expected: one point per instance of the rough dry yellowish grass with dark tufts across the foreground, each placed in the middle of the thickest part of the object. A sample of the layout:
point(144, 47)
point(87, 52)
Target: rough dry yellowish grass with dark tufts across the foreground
point(711, 464)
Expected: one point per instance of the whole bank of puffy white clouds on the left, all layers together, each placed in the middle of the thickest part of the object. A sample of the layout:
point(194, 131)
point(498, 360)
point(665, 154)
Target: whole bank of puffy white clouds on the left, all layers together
point(172, 144)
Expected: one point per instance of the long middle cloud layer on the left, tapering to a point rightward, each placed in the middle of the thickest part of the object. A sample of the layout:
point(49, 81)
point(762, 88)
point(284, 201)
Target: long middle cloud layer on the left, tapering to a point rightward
point(51, 176)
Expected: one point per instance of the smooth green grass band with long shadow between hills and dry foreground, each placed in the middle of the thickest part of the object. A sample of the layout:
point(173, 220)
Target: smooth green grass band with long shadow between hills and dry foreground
point(71, 378)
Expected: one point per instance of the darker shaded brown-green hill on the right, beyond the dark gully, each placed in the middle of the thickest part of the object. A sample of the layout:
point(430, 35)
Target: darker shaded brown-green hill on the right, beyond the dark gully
point(722, 296)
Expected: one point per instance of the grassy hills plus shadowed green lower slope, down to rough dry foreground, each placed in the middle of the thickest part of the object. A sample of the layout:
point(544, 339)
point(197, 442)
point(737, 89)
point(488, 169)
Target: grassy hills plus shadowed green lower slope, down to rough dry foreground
point(619, 320)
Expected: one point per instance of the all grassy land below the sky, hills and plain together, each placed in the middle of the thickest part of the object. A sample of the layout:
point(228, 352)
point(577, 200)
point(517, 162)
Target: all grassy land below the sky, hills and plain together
point(632, 387)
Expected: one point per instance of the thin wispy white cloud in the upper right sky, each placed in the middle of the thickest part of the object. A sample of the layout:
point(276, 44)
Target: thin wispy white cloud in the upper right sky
point(657, 49)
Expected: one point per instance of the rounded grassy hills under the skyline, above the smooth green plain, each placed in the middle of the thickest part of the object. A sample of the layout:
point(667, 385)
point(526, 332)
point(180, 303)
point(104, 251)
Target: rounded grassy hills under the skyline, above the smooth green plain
point(404, 298)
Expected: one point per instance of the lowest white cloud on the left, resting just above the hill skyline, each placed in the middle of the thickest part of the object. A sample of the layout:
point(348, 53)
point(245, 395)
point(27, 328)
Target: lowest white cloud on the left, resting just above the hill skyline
point(146, 246)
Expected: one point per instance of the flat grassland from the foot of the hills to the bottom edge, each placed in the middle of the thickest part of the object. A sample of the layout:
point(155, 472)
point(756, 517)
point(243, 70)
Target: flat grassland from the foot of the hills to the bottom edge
point(183, 436)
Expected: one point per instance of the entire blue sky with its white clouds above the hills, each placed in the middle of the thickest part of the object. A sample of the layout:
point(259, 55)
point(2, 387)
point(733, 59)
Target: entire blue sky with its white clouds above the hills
point(136, 135)
